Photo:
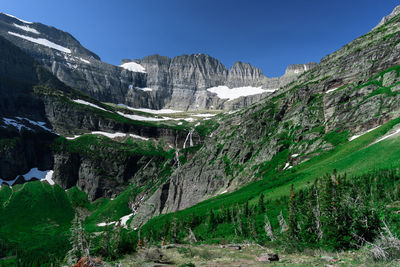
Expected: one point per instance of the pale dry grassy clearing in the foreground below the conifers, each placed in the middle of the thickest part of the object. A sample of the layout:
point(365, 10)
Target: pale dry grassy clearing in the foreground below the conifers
point(248, 255)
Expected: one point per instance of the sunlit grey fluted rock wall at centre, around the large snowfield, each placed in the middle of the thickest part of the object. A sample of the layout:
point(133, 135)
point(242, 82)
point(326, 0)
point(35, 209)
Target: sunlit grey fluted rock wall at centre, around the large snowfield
point(182, 82)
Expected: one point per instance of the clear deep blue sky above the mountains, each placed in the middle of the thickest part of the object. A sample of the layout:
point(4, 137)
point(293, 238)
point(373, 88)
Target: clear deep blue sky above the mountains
point(268, 34)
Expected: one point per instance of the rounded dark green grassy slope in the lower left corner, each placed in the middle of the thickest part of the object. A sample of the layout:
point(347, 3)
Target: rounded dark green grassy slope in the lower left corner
point(35, 219)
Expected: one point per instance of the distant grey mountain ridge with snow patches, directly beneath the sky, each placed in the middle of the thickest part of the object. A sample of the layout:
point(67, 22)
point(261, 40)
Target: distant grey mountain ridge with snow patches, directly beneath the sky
point(187, 82)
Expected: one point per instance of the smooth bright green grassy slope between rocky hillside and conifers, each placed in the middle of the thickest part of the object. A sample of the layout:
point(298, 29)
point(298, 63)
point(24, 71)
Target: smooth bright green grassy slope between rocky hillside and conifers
point(354, 158)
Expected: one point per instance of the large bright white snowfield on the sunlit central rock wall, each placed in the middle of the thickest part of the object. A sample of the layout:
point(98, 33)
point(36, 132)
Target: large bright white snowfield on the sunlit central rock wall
point(224, 92)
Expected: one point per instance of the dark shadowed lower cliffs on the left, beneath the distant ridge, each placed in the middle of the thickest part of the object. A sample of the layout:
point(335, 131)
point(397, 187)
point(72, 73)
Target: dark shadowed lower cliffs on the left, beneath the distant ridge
point(35, 108)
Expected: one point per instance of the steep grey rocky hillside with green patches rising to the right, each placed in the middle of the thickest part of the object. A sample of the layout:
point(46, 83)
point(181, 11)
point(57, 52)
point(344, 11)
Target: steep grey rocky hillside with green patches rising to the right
point(351, 91)
